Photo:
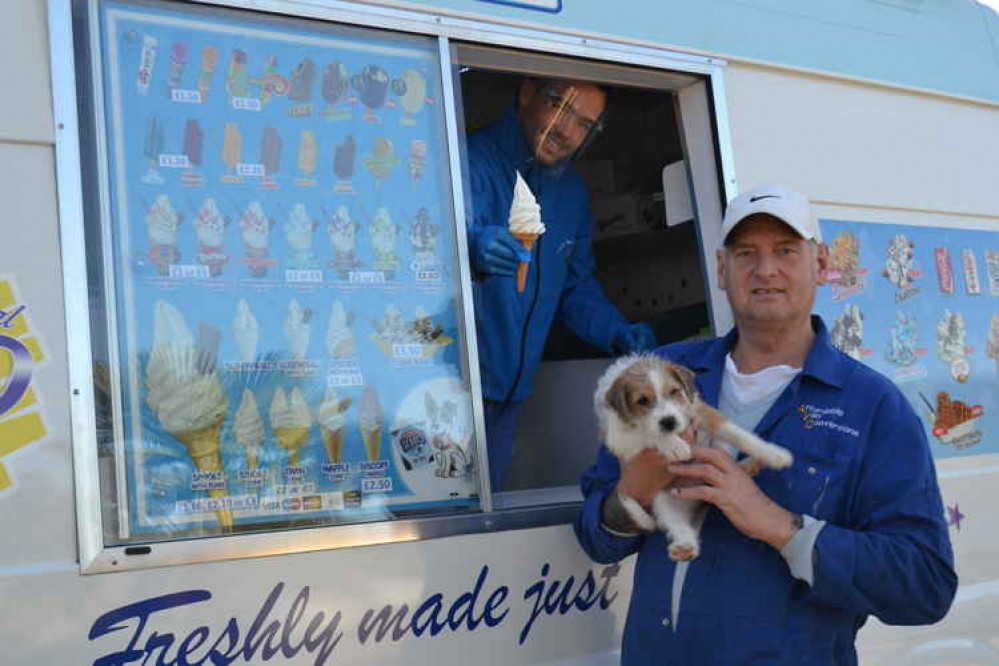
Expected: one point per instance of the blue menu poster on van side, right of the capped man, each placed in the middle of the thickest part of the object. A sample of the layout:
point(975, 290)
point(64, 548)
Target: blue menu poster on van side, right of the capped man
point(921, 306)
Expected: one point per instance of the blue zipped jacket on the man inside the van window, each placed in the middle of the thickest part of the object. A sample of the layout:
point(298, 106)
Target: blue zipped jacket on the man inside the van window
point(512, 327)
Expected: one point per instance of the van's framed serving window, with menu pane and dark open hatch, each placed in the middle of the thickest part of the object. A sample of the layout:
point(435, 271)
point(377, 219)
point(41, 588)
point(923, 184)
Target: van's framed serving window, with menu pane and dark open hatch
point(281, 337)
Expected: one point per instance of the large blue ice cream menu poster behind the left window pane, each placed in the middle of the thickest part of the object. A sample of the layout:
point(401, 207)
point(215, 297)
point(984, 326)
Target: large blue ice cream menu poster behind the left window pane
point(285, 273)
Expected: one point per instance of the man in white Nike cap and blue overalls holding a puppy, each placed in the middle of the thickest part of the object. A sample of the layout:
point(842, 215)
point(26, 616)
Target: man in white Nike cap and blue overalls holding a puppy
point(792, 562)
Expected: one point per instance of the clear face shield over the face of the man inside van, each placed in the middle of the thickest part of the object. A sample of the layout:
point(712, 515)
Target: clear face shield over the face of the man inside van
point(563, 120)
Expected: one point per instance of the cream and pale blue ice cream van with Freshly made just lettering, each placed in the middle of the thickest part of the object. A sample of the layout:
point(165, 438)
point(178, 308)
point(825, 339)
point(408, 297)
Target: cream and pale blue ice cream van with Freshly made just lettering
point(240, 406)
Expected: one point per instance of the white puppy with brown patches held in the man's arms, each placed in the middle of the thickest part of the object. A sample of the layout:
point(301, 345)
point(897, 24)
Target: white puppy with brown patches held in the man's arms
point(644, 401)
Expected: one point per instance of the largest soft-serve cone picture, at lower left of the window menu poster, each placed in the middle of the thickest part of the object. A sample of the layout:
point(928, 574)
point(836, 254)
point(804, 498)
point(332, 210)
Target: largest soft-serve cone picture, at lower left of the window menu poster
point(184, 391)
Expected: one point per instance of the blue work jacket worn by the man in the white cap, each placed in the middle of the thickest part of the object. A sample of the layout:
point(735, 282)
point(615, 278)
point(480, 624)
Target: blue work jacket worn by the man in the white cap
point(861, 463)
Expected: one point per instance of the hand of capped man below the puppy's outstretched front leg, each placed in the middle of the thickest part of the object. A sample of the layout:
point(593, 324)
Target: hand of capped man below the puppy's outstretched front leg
point(725, 484)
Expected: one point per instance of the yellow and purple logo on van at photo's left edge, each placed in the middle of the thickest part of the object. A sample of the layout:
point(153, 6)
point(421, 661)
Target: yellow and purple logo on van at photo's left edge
point(21, 420)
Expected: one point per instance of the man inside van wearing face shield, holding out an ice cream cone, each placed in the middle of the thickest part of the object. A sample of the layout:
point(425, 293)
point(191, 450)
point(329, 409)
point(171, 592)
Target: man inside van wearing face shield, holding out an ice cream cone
point(538, 138)
